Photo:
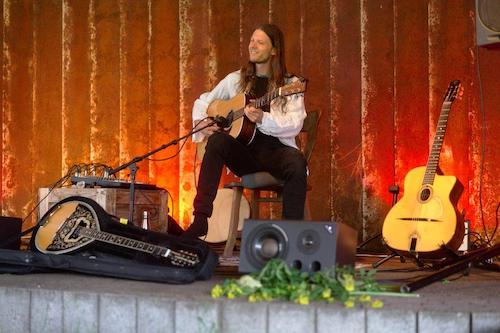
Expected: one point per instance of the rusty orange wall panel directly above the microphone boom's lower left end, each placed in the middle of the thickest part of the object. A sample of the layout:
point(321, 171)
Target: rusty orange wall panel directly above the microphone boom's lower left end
point(105, 82)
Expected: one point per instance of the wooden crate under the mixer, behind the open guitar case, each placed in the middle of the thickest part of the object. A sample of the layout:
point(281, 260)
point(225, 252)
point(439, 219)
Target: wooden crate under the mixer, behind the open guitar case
point(116, 202)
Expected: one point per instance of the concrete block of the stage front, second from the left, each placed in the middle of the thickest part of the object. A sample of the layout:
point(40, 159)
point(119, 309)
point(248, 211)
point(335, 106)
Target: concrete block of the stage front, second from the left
point(46, 311)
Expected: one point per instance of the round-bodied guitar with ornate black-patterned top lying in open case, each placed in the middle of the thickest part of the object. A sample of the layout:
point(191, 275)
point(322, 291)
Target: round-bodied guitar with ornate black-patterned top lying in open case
point(71, 225)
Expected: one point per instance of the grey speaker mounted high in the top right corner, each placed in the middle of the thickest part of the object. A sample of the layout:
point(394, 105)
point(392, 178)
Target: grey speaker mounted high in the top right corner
point(488, 22)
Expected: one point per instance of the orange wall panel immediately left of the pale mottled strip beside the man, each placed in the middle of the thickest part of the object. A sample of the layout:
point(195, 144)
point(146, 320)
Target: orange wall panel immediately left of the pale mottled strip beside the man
point(164, 95)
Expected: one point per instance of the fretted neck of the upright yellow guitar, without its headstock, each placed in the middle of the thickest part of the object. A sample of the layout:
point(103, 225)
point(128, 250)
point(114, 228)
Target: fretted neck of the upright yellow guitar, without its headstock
point(433, 162)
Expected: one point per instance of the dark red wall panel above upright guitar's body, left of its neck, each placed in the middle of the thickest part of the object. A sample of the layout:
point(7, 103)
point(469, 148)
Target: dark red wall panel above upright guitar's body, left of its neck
point(411, 88)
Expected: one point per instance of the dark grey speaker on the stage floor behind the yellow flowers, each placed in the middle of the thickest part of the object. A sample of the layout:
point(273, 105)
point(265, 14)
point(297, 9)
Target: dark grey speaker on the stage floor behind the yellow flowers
point(309, 246)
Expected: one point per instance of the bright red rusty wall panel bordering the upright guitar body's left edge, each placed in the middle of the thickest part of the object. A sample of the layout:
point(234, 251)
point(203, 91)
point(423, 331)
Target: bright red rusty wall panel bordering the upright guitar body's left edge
point(377, 61)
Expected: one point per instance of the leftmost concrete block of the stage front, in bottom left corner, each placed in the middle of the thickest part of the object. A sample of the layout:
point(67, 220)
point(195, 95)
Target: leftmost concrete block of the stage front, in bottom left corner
point(14, 310)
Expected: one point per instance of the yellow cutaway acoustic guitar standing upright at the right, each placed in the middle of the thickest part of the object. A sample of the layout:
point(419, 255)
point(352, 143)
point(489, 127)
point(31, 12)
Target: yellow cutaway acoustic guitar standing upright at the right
point(425, 222)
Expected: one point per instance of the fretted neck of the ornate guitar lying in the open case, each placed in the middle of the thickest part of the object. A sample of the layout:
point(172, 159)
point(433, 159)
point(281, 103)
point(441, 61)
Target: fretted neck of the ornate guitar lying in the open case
point(125, 242)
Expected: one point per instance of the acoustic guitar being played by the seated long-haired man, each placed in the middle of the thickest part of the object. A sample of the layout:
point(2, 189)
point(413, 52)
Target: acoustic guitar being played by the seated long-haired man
point(232, 110)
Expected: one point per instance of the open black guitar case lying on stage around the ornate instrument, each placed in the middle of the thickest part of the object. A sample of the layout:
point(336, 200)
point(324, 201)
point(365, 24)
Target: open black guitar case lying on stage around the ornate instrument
point(103, 259)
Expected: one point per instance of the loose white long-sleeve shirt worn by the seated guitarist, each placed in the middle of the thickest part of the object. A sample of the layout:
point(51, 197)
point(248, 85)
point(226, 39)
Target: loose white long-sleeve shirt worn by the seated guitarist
point(283, 121)
